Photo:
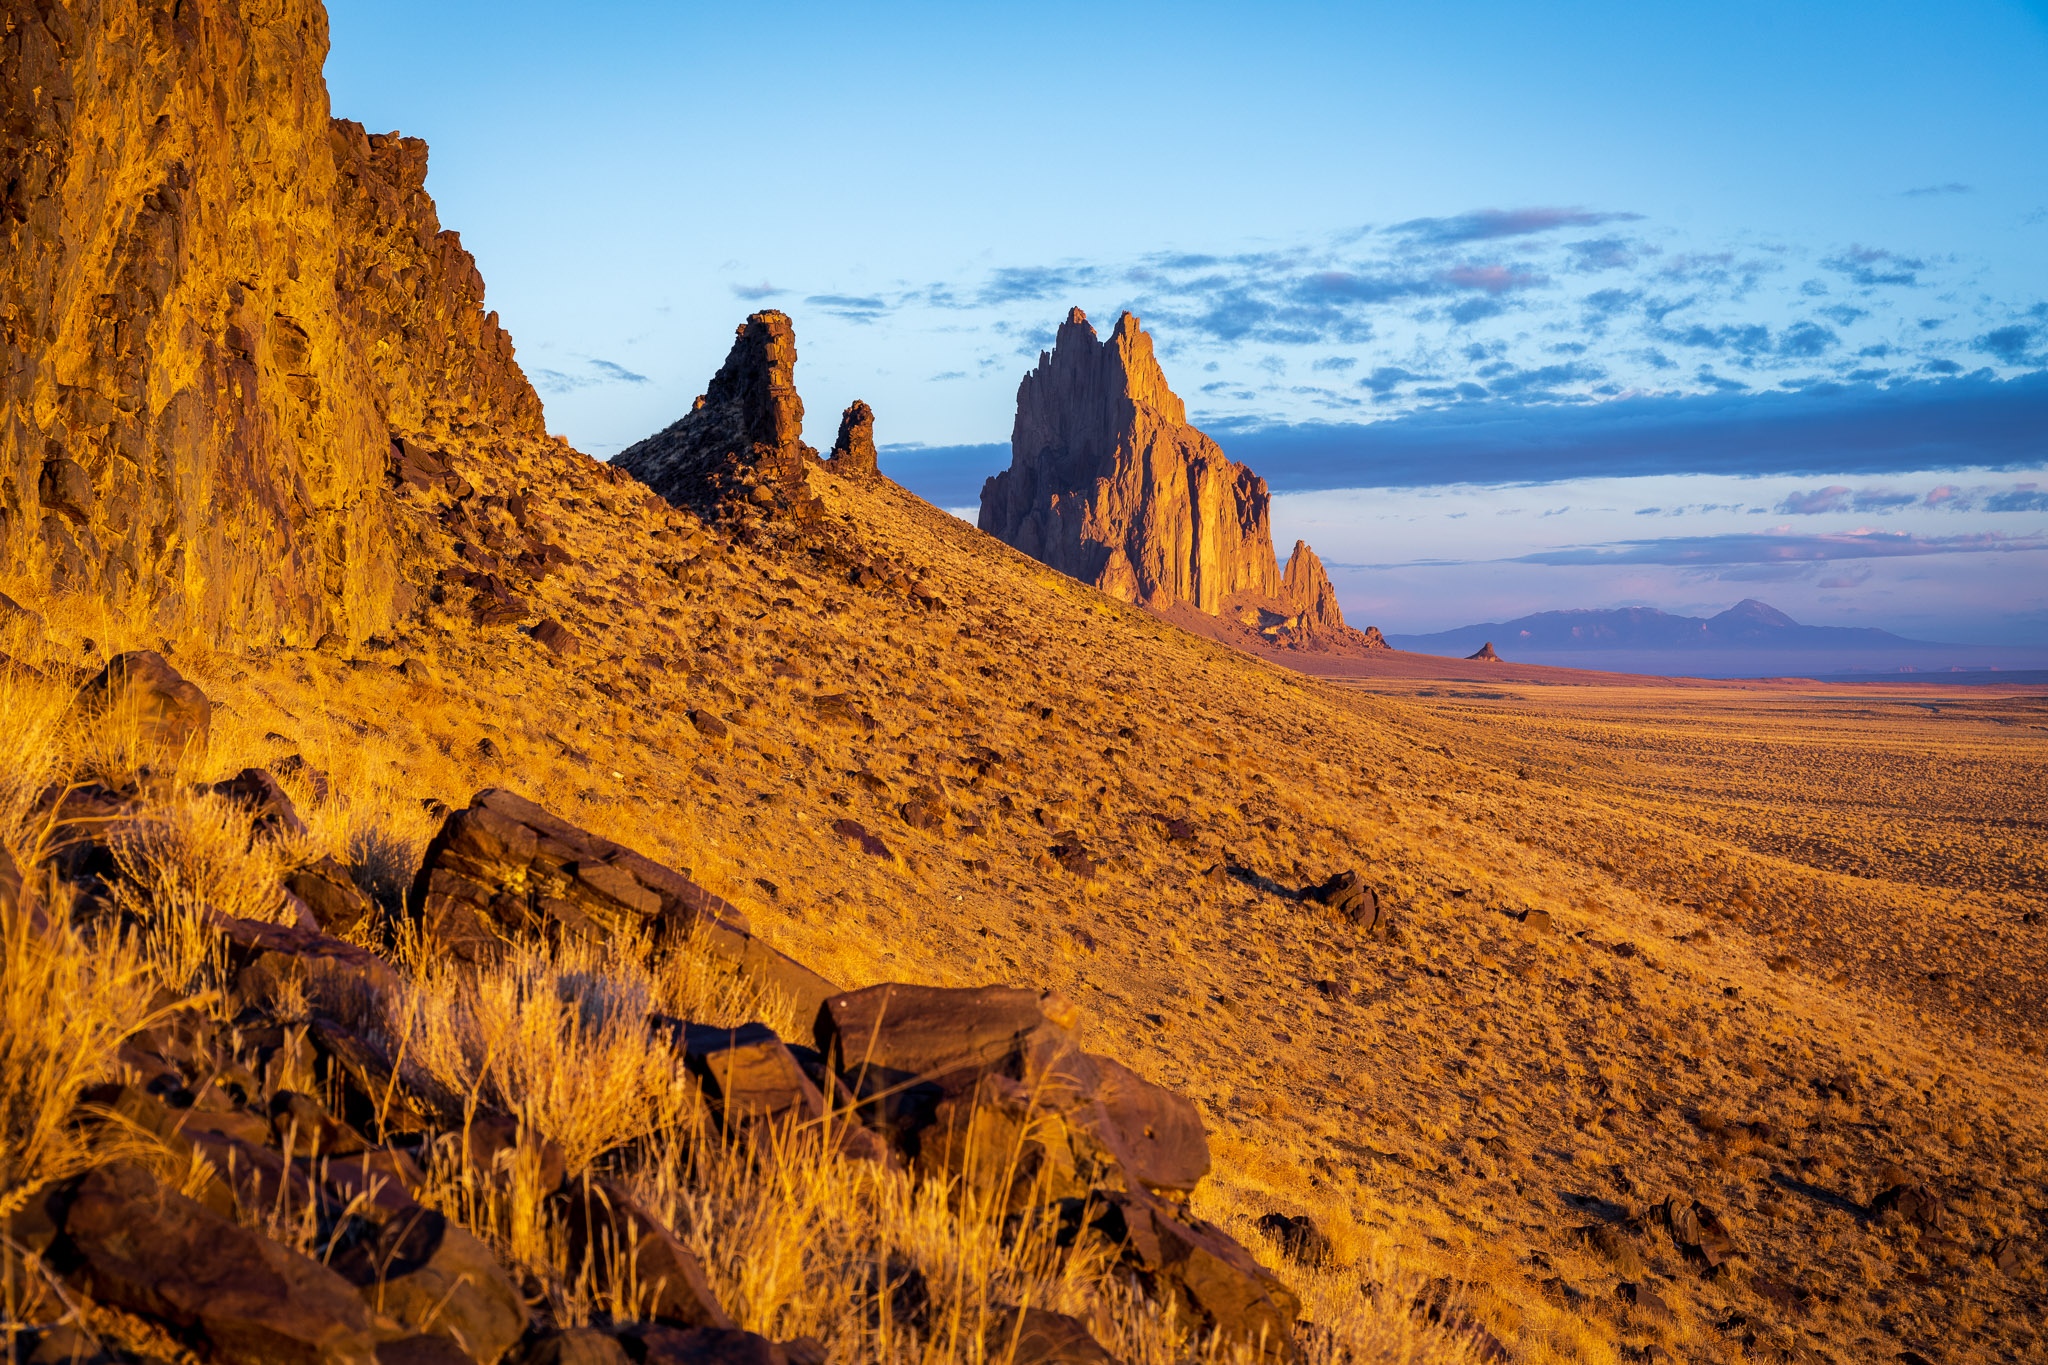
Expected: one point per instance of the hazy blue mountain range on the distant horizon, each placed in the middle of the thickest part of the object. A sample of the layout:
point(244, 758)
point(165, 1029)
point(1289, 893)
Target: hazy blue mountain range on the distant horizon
point(1748, 625)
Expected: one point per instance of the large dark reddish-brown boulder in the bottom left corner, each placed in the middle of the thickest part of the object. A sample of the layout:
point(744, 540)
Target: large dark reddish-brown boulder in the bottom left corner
point(247, 1301)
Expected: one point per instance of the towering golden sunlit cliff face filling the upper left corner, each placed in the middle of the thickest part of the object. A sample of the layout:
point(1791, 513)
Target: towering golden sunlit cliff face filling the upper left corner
point(216, 312)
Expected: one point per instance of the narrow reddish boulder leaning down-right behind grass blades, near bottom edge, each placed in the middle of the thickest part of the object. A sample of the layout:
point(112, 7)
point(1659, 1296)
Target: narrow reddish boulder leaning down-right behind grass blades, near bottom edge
point(630, 1253)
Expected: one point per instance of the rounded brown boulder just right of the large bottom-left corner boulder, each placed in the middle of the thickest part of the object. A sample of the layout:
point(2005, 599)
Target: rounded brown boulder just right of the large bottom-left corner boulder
point(437, 1280)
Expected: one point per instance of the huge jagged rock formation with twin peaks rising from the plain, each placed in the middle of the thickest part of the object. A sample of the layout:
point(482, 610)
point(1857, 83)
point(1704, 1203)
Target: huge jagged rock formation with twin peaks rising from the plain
point(1109, 482)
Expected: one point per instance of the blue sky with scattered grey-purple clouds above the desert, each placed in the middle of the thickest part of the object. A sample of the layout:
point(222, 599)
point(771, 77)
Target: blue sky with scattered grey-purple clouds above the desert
point(1519, 308)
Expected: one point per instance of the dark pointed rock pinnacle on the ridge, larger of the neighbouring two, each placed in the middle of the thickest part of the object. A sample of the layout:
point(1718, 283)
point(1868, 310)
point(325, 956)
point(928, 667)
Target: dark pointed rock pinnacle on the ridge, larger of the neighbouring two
point(742, 441)
